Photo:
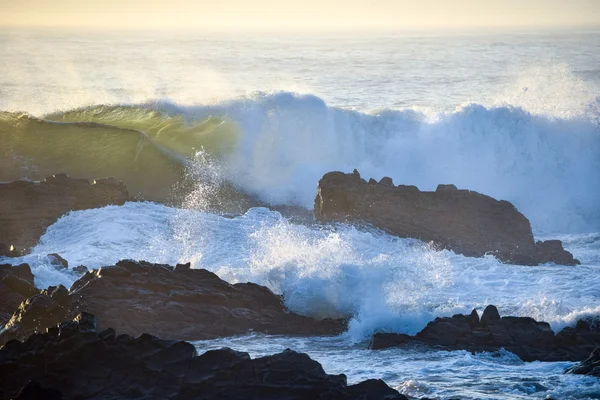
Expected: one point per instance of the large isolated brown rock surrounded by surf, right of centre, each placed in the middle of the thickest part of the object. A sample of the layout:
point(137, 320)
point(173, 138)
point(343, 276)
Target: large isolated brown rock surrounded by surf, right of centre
point(463, 221)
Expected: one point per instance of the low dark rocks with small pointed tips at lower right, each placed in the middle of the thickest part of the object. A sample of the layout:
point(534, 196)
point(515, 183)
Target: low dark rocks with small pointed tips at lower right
point(530, 340)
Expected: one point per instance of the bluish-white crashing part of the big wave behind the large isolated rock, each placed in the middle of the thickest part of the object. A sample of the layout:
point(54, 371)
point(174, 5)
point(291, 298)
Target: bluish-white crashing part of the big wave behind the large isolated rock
point(546, 164)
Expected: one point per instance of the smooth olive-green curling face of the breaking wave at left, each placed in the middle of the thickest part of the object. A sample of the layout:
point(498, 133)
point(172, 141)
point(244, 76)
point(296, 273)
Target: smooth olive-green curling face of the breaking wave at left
point(143, 147)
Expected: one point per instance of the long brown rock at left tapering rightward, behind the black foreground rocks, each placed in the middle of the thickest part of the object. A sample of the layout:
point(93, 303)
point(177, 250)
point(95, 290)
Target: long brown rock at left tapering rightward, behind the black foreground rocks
point(175, 303)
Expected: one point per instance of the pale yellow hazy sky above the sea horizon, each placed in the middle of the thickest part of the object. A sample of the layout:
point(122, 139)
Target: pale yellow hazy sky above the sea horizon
point(318, 15)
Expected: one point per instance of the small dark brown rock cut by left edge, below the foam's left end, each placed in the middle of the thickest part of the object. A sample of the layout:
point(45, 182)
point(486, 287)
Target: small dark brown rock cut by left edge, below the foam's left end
point(16, 286)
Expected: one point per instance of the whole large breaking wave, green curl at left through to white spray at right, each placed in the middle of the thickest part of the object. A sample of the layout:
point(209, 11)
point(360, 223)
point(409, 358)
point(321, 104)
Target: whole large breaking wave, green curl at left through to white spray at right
point(275, 147)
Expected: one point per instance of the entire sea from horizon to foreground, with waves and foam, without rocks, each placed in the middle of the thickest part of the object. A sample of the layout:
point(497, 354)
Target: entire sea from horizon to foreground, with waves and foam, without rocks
point(232, 154)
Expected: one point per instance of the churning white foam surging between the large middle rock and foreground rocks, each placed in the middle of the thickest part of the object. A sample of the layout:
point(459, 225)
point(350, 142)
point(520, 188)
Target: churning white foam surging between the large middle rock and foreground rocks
point(383, 282)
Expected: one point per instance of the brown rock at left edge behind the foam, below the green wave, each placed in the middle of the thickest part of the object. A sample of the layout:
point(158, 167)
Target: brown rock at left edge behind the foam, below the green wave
point(28, 208)
